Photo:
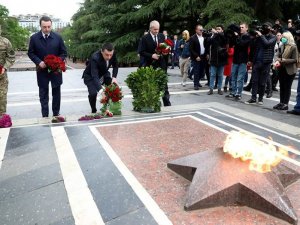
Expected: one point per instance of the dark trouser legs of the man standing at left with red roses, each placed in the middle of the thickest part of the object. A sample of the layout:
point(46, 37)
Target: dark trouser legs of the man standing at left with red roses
point(44, 100)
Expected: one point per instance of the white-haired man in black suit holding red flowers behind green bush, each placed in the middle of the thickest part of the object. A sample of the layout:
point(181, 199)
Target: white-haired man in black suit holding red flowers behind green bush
point(149, 43)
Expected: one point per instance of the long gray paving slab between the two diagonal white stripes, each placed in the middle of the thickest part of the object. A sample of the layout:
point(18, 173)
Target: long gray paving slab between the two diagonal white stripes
point(113, 195)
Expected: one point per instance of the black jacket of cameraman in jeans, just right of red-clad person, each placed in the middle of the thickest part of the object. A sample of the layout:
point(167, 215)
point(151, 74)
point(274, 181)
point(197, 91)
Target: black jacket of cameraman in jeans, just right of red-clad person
point(241, 49)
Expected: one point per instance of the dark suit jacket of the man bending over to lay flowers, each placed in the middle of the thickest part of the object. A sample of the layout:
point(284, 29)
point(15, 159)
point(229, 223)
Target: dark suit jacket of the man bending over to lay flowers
point(97, 70)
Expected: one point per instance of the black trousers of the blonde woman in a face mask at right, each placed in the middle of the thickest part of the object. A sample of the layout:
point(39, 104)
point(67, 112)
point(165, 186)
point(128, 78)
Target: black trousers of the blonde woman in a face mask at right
point(285, 82)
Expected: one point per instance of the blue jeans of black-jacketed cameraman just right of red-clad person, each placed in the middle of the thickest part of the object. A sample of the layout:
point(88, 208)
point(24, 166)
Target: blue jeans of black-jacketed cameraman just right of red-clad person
point(238, 72)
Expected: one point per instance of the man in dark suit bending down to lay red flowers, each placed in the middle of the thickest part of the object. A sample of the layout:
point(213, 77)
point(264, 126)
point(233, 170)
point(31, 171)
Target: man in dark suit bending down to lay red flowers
point(96, 73)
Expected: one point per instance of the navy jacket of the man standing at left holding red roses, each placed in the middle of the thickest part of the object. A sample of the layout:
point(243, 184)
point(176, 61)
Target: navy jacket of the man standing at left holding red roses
point(38, 49)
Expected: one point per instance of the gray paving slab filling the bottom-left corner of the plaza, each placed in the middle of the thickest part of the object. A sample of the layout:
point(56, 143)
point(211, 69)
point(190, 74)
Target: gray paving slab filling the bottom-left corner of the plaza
point(43, 206)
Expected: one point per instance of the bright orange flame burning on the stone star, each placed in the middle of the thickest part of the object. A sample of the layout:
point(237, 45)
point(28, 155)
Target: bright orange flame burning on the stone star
point(261, 155)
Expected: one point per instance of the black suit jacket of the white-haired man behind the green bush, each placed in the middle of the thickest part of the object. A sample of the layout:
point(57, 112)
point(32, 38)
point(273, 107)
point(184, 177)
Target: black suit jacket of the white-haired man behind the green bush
point(147, 49)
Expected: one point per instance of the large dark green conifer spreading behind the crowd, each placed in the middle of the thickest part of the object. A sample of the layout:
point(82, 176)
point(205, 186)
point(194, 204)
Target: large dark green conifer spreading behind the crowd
point(123, 22)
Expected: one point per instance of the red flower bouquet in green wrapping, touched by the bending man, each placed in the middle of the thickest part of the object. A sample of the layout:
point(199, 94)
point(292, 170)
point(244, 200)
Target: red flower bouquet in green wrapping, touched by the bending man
point(111, 100)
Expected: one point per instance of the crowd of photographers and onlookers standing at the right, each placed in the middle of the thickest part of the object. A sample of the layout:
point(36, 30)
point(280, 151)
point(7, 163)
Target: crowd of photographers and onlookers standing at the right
point(269, 51)
